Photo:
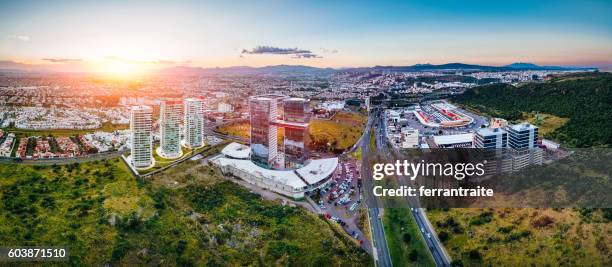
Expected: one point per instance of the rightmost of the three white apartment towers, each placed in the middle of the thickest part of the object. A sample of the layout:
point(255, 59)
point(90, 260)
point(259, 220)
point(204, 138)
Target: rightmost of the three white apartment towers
point(194, 122)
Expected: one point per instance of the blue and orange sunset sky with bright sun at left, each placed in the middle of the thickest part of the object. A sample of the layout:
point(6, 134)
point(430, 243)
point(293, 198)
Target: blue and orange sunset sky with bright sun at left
point(125, 35)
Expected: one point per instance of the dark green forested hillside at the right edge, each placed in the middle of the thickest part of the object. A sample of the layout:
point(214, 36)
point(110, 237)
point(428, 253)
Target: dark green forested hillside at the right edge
point(583, 98)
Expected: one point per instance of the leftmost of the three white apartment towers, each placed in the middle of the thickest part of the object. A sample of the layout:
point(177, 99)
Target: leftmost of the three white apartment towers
point(140, 126)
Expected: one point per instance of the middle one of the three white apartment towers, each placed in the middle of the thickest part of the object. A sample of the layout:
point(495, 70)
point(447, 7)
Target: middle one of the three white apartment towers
point(169, 117)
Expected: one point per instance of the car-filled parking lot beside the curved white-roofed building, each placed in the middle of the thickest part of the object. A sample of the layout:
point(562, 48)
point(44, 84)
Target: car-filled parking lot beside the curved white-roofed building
point(340, 201)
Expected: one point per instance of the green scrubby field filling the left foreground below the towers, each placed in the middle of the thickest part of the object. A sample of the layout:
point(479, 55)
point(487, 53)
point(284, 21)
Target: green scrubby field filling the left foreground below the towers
point(186, 216)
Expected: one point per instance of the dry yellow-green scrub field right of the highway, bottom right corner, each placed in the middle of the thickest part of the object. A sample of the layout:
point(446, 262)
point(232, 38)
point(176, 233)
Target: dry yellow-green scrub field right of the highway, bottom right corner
point(523, 237)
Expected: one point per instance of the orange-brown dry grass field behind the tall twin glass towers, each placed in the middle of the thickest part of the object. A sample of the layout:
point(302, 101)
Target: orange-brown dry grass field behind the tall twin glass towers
point(335, 135)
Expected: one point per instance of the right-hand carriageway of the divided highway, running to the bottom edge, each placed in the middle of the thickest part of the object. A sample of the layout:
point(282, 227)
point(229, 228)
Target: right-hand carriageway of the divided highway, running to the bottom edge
point(436, 248)
